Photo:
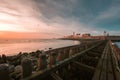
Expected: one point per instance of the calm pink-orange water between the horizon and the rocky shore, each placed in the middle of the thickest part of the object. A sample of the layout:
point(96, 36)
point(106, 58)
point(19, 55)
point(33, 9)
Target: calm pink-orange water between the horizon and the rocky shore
point(12, 47)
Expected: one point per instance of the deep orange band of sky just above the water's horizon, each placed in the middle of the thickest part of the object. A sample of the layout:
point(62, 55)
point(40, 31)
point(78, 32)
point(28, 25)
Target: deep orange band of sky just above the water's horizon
point(10, 34)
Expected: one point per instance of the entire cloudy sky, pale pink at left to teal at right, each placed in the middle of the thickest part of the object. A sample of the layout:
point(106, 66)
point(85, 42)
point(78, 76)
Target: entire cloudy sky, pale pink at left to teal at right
point(56, 18)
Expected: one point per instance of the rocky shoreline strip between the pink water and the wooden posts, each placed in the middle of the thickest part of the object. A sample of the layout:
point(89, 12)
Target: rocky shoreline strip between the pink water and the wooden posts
point(14, 63)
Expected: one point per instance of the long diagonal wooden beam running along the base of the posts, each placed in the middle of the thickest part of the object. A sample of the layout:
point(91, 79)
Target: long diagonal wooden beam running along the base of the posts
point(47, 71)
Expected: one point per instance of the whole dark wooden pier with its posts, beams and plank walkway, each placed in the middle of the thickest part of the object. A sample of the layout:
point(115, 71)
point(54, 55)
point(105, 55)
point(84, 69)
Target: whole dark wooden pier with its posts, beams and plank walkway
point(97, 60)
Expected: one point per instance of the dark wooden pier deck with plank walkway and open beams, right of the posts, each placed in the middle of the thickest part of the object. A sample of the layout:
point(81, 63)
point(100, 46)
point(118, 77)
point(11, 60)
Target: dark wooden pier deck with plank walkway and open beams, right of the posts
point(95, 61)
